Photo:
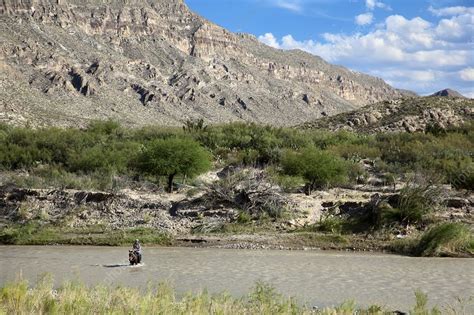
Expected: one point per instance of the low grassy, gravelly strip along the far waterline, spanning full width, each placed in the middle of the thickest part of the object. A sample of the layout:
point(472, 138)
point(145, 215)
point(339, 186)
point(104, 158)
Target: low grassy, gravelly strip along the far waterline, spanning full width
point(35, 234)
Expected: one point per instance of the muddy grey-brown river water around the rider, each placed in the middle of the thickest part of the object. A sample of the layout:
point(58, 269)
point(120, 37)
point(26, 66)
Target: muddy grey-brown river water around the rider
point(316, 278)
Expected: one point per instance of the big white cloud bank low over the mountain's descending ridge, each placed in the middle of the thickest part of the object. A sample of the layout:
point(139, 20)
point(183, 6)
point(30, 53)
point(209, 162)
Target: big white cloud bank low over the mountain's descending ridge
point(409, 53)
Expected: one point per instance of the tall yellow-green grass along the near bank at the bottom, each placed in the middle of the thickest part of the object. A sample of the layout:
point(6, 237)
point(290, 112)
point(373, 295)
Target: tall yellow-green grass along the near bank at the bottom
point(76, 298)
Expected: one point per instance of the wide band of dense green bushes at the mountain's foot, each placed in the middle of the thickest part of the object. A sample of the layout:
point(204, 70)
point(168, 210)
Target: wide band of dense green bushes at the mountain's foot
point(107, 147)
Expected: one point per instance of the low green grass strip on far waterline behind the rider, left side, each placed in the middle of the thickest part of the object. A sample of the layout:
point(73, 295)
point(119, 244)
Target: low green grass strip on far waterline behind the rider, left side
point(35, 234)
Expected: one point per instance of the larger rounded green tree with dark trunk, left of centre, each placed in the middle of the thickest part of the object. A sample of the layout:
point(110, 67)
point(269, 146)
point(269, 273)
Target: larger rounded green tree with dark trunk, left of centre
point(173, 156)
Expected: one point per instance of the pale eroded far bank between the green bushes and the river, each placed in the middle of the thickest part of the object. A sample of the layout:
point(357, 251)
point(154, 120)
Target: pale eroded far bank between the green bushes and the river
point(336, 219)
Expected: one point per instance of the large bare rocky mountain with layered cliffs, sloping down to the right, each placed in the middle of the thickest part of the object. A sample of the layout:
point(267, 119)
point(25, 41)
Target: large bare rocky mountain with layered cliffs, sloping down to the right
point(65, 62)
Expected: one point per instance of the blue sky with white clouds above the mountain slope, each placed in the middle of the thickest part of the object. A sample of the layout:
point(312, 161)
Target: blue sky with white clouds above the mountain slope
point(419, 45)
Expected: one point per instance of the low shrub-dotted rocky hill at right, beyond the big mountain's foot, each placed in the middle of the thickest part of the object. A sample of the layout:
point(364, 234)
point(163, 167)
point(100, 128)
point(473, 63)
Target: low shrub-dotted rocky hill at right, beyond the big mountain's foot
point(409, 114)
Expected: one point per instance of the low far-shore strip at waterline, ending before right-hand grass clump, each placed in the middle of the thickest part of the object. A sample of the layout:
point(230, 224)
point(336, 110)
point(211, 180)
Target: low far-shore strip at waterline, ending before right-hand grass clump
point(97, 236)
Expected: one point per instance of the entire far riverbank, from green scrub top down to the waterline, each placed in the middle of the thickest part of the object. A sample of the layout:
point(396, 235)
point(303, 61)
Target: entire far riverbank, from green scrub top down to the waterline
point(301, 190)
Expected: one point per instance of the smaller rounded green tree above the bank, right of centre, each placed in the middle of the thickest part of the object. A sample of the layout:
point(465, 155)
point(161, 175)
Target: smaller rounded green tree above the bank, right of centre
point(318, 168)
